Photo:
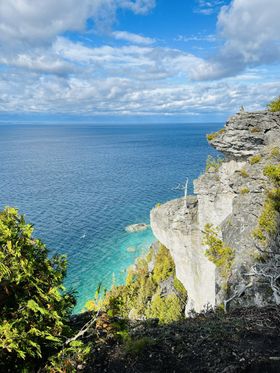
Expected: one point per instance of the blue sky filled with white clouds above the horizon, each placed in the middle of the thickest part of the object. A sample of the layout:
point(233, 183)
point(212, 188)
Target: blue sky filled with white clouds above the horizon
point(137, 60)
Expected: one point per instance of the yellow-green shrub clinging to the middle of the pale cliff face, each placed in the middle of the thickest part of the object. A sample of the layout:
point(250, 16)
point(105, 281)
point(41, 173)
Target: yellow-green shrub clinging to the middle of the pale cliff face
point(218, 253)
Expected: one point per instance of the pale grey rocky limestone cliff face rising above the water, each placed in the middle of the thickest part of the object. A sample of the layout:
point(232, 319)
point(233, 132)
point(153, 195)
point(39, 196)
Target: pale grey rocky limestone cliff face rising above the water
point(231, 197)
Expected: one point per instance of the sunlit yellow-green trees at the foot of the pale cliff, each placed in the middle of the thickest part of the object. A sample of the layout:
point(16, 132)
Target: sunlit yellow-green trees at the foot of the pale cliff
point(142, 295)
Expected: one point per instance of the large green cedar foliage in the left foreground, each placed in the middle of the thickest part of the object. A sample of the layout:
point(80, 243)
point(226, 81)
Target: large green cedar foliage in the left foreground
point(34, 304)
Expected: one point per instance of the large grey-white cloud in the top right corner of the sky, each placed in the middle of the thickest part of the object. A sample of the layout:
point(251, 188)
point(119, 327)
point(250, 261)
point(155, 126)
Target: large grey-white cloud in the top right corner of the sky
point(251, 34)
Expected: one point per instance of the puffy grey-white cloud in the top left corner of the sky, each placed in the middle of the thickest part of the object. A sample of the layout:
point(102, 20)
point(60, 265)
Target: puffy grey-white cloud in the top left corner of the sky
point(35, 21)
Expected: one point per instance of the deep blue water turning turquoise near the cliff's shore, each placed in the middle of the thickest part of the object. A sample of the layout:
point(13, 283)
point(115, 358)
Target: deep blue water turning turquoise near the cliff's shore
point(81, 185)
